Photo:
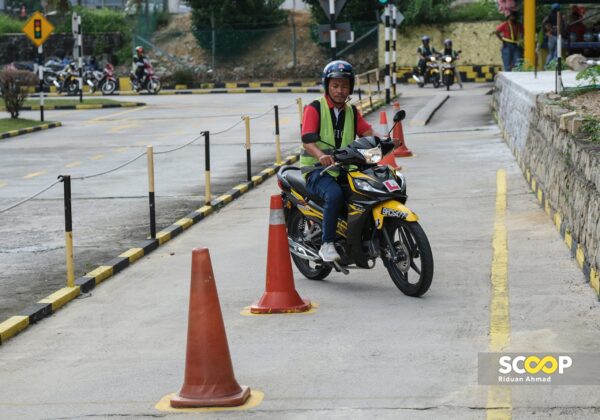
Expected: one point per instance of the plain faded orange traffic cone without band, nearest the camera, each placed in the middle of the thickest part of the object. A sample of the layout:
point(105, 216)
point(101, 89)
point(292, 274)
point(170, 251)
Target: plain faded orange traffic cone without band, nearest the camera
point(209, 378)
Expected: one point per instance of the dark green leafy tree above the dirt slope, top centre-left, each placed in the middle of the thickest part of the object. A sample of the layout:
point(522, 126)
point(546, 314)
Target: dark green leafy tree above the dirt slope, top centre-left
point(237, 22)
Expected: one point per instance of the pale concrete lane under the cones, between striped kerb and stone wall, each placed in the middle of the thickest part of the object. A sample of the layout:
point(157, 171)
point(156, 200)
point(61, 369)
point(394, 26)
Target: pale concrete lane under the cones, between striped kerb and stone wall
point(367, 351)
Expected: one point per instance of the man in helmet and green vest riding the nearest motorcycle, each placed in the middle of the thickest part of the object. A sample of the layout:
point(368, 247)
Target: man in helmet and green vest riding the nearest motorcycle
point(329, 123)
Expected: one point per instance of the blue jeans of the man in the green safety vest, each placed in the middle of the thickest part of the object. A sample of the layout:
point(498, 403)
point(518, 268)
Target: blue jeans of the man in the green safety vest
point(327, 188)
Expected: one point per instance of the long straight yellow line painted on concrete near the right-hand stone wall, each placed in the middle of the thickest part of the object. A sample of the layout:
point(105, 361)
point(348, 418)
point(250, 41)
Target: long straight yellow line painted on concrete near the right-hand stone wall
point(499, 404)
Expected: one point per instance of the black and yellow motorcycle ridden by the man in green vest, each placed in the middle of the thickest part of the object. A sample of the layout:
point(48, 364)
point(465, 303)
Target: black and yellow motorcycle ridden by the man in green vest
point(377, 224)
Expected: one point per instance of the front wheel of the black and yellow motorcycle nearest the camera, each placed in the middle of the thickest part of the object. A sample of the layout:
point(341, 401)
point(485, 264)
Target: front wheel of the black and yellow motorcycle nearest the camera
point(412, 270)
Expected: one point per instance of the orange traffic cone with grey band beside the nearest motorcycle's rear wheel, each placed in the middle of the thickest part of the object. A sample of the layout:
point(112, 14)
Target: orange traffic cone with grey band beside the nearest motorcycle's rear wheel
point(280, 295)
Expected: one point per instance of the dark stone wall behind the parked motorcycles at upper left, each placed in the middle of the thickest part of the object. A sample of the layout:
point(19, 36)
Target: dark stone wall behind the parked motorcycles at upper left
point(17, 47)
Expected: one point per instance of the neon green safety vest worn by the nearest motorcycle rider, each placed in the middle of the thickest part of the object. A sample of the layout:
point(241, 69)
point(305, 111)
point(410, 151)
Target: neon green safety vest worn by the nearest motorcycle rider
point(326, 133)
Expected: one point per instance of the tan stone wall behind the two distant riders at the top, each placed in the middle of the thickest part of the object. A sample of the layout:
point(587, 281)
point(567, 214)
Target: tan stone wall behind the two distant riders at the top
point(476, 40)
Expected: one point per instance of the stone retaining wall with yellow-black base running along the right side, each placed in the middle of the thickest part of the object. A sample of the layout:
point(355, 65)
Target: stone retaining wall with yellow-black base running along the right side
point(561, 164)
